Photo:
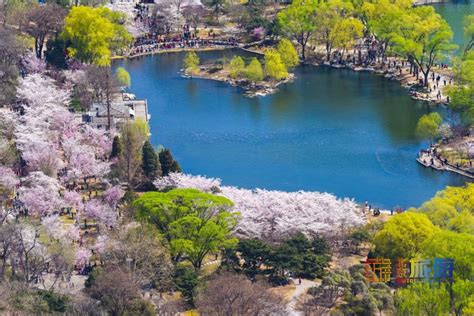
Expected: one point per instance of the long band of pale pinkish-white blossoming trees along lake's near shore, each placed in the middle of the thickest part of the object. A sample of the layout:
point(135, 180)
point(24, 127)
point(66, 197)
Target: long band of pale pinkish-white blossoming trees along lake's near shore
point(265, 213)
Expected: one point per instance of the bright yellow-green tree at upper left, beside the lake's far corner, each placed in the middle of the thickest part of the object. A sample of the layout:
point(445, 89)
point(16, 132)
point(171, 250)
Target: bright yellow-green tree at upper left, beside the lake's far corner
point(94, 34)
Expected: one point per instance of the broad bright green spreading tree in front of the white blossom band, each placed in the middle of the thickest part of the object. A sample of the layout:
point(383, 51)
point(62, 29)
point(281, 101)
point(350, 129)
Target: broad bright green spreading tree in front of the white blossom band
point(195, 223)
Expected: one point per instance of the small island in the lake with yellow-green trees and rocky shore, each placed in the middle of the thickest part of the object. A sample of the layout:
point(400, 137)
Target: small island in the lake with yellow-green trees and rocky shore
point(257, 78)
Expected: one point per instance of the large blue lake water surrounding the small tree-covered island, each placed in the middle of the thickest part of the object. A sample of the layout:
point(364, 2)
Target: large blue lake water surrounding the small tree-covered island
point(331, 130)
